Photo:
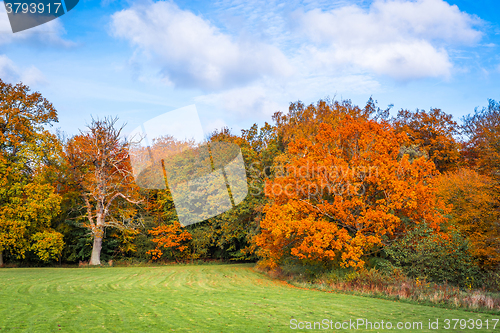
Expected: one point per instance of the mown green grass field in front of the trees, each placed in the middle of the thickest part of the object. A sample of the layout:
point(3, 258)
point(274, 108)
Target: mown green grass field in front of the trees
point(206, 298)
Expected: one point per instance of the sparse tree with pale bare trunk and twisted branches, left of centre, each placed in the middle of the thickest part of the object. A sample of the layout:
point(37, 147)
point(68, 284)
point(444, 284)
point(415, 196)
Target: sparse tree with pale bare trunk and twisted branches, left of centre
point(100, 169)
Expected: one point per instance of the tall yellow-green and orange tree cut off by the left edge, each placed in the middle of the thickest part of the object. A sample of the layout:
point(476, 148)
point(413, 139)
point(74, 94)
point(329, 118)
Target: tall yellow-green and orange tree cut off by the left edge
point(27, 202)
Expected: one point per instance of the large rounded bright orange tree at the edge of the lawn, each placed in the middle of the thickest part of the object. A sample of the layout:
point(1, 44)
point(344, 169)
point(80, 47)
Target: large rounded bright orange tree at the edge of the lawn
point(344, 192)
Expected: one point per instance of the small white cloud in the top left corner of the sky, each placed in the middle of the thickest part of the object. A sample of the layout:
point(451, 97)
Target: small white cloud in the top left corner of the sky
point(48, 33)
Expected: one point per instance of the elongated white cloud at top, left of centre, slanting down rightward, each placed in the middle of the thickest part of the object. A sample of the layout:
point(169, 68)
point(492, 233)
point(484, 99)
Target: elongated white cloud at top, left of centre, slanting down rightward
point(192, 52)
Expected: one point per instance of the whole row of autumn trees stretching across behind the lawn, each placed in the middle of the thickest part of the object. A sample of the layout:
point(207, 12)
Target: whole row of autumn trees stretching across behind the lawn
point(331, 186)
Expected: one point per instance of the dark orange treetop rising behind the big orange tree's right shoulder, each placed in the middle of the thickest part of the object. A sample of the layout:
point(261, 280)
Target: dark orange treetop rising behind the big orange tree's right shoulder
point(433, 133)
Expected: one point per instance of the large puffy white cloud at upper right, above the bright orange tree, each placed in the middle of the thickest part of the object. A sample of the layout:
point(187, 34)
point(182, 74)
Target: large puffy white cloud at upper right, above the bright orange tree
point(402, 39)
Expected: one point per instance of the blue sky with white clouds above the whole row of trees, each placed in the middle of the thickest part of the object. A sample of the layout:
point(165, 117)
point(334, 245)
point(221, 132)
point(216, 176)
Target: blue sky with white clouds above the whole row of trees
point(241, 61)
